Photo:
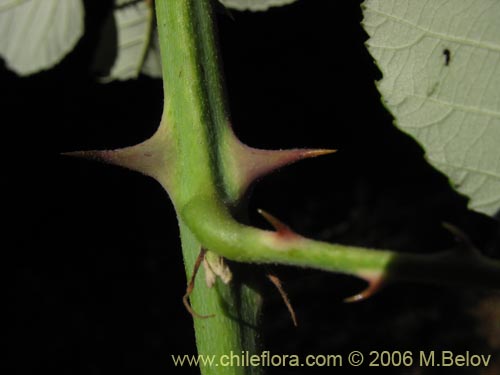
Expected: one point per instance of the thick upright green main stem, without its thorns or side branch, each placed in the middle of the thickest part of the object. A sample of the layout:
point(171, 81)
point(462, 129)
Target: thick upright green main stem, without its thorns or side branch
point(194, 104)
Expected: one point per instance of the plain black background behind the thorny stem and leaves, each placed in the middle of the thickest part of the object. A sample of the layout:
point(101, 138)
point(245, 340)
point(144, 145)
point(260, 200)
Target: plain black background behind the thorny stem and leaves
point(91, 253)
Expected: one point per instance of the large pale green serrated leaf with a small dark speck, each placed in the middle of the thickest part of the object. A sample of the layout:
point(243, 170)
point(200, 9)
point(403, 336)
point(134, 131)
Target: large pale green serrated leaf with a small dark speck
point(440, 62)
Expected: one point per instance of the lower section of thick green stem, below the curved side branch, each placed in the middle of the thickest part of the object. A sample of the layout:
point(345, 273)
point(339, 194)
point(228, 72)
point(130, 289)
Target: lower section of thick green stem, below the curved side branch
point(236, 307)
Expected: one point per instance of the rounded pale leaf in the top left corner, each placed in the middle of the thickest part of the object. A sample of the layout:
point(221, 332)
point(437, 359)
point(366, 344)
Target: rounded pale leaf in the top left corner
point(36, 35)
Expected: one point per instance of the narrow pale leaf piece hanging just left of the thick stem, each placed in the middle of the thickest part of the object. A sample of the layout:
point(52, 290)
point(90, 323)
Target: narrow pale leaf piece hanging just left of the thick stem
point(134, 22)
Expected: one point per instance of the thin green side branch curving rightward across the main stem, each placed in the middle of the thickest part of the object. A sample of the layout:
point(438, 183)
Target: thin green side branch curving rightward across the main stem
point(216, 229)
